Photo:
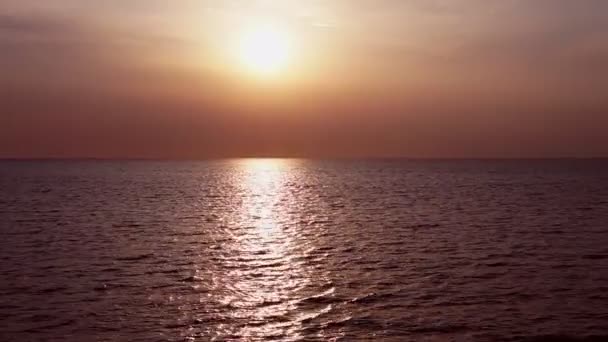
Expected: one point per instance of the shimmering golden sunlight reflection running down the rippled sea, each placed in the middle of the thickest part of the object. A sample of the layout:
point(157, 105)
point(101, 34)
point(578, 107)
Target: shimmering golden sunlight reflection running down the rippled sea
point(270, 276)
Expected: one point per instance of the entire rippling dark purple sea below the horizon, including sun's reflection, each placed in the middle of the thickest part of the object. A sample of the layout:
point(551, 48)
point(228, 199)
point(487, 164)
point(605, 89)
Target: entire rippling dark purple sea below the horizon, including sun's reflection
point(304, 250)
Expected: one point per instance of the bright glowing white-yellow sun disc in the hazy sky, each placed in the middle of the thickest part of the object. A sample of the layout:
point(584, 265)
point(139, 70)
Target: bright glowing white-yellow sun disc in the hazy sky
point(265, 50)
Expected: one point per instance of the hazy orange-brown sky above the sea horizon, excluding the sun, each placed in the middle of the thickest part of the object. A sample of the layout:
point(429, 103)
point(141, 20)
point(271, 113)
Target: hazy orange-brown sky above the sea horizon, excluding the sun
point(365, 78)
